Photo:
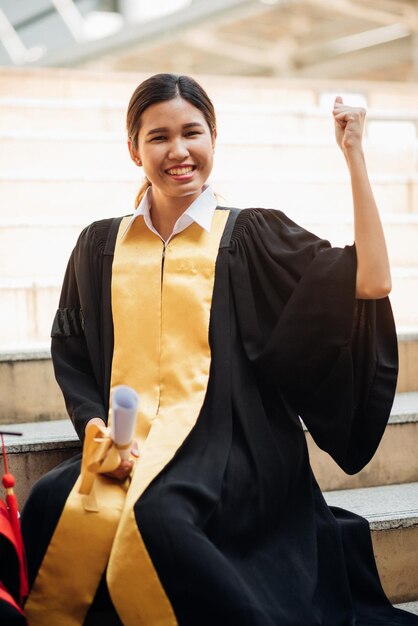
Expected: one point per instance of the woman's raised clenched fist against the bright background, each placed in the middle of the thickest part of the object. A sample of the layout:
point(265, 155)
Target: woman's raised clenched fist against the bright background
point(349, 125)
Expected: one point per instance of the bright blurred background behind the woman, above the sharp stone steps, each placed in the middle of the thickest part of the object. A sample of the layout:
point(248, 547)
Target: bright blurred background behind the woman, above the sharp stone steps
point(272, 67)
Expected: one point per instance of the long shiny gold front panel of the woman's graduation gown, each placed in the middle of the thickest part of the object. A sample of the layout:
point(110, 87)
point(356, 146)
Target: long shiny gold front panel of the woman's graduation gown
point(161, 310)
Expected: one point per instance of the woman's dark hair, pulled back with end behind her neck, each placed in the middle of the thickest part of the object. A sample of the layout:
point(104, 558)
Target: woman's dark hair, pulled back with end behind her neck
point(160, 88)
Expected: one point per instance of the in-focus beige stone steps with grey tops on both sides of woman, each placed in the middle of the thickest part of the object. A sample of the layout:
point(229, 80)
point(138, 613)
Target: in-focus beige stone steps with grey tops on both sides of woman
point(385, 491)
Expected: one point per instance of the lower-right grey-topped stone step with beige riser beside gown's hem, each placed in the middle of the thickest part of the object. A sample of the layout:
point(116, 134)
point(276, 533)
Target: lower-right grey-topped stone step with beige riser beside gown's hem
point(392, 512)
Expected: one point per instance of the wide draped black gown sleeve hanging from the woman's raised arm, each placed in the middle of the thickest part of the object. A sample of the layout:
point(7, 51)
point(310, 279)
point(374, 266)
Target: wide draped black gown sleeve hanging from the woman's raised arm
point(334, 358)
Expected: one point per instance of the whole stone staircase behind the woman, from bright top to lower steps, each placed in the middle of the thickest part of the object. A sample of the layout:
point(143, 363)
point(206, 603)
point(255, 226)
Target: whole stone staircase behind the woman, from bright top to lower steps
point(64, 163)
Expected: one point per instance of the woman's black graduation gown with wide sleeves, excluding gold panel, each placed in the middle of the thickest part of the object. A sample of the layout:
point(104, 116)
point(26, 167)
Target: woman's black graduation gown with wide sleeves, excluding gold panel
point(235, 524)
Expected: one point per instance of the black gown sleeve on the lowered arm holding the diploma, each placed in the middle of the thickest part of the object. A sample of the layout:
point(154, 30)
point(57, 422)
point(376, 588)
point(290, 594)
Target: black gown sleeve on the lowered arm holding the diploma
point(74, 348)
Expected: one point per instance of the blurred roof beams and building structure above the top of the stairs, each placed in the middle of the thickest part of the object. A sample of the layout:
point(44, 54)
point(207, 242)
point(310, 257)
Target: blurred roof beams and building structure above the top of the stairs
point(355, 39)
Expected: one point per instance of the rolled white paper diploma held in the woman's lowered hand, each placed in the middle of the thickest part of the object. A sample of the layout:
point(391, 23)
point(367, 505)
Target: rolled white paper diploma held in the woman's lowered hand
point(125, 402)
